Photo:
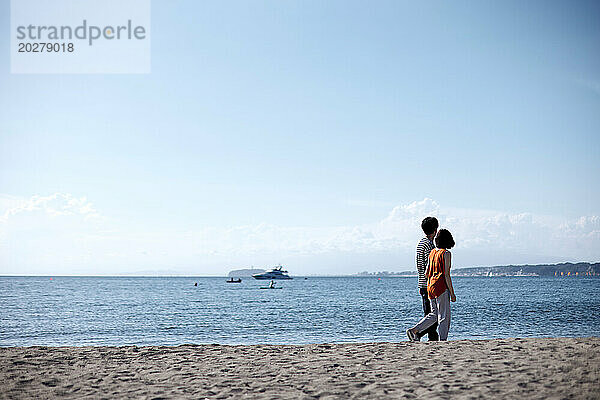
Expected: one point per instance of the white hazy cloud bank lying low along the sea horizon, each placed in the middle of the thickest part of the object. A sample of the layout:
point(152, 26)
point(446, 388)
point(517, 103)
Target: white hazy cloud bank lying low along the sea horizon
point(65, 234)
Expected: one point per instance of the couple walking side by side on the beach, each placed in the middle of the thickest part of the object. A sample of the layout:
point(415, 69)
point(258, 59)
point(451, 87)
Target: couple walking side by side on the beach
point(435, 284)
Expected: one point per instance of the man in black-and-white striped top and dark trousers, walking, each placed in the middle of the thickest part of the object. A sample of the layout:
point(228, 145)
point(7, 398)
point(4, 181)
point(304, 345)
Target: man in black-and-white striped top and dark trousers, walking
point(424, 247)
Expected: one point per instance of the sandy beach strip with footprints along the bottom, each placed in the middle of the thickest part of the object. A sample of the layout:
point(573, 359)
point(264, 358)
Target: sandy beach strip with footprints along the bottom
point(504, 368)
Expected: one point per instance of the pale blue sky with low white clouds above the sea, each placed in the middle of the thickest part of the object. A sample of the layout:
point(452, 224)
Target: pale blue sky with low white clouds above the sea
point(313, 134)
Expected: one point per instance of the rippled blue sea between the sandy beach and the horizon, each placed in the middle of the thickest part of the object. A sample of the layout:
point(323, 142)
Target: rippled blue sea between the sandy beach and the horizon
point(169, 311)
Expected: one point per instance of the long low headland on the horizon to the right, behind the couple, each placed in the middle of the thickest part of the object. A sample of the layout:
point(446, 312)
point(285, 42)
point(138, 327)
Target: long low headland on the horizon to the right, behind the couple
point(564, 269)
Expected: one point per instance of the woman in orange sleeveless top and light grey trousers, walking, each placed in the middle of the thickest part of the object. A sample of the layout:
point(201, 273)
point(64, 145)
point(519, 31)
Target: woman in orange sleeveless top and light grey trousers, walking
point(439, 288)
